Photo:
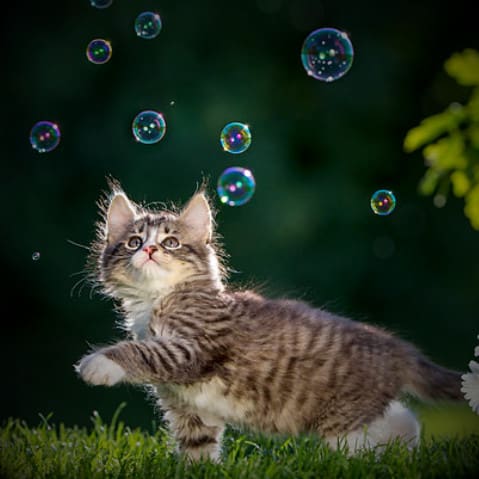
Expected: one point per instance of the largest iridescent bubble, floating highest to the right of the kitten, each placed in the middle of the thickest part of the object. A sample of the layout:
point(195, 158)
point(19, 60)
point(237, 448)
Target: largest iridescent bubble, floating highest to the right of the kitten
point(327, 54)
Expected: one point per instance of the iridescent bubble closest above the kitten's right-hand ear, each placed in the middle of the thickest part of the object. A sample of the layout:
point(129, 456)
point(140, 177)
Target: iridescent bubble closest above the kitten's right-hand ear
point(236, 186)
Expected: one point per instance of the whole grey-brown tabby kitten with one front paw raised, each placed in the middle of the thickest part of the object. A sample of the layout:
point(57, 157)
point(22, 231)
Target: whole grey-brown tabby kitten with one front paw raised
point(215, 356)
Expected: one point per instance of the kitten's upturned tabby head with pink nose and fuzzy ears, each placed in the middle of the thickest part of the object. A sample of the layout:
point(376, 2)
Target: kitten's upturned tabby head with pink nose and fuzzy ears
point(140, 251)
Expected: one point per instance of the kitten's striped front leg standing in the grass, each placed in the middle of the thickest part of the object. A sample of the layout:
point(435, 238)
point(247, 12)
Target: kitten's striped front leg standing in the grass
point(195, 439)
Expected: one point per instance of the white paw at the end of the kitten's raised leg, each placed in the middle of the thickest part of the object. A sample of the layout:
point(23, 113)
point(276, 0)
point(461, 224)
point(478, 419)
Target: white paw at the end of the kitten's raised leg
point(98, 370)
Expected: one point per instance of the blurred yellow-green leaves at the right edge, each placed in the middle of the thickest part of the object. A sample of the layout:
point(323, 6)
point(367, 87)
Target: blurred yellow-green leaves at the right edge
point(450, 141)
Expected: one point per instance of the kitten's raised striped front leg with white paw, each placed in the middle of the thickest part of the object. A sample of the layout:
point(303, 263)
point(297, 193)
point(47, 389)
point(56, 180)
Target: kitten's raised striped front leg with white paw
point(153, 360)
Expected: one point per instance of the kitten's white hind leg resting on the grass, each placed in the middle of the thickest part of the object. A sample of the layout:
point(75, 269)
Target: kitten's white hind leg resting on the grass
point(398, 422)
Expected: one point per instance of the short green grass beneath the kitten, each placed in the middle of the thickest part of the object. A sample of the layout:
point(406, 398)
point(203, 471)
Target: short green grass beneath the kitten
point(115, 451)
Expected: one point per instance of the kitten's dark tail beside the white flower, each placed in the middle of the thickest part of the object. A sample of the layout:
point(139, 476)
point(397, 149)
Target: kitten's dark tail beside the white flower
point(431, 381)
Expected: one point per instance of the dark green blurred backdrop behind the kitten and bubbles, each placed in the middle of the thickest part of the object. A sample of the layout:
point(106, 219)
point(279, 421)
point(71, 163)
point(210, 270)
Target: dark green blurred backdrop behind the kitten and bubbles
point(319, 151)
